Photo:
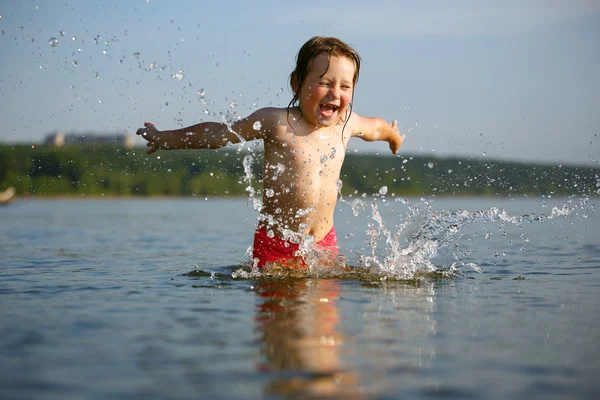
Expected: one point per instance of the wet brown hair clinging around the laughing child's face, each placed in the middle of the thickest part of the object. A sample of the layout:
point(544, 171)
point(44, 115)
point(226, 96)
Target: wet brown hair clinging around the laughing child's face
point(308, 52)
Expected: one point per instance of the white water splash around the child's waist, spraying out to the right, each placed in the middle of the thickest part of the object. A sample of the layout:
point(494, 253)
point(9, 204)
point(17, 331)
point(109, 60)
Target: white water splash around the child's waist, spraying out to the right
point(412, 249)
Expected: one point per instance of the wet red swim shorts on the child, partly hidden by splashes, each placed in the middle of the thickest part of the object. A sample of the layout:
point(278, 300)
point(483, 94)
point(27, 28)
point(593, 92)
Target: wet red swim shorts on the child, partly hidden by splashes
point(275, 249)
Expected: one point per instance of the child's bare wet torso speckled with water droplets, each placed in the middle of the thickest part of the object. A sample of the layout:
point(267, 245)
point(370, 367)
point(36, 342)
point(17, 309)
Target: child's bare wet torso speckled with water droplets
point(300, 177)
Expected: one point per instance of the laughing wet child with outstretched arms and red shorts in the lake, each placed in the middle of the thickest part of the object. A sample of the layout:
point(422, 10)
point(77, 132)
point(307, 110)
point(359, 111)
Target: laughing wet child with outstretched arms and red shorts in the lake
point(304, 147)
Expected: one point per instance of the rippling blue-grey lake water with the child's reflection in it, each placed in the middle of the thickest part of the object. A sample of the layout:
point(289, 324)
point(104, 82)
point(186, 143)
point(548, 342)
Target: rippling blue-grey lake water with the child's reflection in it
point(96, 301)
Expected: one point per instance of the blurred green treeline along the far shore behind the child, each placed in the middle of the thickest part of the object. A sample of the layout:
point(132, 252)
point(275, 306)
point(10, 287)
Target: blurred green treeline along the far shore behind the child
point(113, 171)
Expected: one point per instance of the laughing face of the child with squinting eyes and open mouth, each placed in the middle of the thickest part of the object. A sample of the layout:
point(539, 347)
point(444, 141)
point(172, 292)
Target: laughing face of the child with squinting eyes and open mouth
point(327, 90)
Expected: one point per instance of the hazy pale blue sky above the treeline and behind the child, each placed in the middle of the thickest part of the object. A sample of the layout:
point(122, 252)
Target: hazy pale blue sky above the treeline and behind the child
point(509, 80)
